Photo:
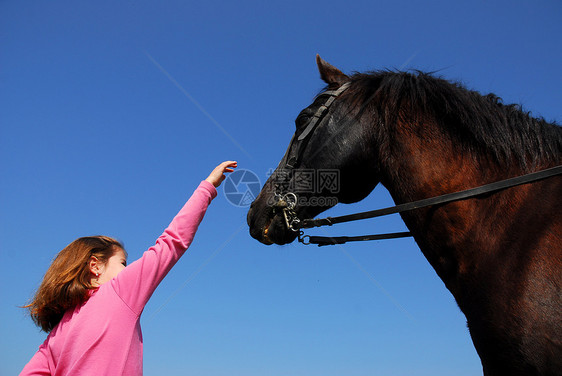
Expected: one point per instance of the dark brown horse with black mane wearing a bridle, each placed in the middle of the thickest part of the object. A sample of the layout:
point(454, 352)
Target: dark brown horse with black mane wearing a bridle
point(420, 136)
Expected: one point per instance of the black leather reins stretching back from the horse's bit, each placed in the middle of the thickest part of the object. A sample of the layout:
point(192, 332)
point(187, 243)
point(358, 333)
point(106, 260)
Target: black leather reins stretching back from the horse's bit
point(297, 225)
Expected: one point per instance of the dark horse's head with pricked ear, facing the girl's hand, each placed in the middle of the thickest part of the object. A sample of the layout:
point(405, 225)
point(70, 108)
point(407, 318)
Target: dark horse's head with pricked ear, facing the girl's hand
point(325, 163)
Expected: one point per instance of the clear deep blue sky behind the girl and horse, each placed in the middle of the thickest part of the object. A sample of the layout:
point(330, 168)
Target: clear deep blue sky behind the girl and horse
point(113, 112)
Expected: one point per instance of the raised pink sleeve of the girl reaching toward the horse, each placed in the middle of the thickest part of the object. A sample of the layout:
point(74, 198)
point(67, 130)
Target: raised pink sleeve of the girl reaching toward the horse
point(136, 283)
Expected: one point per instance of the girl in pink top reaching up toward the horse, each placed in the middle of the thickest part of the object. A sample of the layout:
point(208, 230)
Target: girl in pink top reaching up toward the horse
point(91, 301)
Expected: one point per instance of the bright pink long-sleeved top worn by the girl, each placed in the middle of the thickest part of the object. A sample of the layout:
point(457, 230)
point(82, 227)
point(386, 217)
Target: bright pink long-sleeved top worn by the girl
point(103, 335)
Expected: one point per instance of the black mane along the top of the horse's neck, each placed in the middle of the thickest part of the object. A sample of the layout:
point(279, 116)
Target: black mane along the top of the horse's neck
point(479, 123)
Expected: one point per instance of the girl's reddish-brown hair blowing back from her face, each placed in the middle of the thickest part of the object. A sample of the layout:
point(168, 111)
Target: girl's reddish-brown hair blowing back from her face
point(68, 279)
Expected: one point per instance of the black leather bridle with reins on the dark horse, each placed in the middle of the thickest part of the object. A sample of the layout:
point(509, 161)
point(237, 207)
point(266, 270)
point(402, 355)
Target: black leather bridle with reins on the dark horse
point(286, 202)
